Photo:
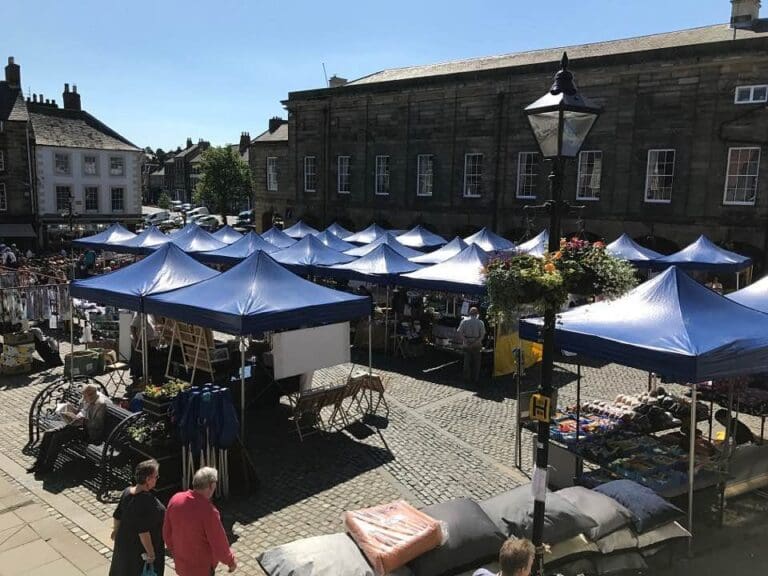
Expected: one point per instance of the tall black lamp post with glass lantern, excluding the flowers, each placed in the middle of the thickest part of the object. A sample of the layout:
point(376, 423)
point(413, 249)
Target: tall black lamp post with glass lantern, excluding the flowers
point(560, 121)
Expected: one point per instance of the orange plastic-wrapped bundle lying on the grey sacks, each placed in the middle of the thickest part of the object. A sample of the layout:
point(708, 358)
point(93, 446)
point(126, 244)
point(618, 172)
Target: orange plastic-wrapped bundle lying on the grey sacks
point(391, 535)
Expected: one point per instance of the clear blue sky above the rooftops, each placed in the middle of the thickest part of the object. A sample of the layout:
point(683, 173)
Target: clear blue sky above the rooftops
point(160, 71)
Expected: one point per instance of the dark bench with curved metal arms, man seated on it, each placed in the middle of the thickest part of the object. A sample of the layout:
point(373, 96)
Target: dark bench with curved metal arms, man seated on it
point(105, 456)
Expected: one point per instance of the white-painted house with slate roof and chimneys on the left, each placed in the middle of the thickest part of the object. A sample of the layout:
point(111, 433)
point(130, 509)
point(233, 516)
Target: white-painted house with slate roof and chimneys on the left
point(79, 157)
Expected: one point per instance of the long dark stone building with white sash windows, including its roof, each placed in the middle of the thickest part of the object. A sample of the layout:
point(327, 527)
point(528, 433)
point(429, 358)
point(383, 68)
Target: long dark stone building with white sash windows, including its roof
point(679, 150)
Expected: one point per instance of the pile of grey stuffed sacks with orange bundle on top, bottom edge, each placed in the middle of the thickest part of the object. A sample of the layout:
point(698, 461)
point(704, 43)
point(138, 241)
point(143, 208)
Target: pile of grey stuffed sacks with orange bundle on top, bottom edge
point(621, 526)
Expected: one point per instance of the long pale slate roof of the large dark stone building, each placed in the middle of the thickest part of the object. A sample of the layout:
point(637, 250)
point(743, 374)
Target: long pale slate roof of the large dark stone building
point(681, 38)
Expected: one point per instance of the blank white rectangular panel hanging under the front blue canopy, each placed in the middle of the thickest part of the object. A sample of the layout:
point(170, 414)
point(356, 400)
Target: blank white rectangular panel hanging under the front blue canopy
point(301, 351)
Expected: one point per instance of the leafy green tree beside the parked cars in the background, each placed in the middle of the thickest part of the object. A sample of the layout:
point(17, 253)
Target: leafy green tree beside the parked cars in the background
point(225, 181)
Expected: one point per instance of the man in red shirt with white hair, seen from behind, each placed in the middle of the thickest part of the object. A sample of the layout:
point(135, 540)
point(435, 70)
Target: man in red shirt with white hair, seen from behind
point(192, 529)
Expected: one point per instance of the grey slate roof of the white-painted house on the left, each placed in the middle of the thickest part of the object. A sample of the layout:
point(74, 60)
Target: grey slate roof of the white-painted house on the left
point(73, 129)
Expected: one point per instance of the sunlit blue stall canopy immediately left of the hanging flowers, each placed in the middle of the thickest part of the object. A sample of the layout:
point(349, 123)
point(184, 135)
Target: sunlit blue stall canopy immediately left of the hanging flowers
point(463, 274)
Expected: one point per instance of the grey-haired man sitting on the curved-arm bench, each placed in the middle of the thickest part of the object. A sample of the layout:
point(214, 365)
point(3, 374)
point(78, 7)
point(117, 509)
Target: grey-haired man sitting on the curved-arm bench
point(86, 423)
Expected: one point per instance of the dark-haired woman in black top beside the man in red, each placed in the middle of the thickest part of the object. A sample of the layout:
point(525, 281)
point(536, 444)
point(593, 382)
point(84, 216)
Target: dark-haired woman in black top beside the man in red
point(138, 525)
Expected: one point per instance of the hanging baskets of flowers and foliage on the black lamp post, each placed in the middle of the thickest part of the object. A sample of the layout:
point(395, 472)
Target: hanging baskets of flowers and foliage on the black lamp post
point(578, 267)
